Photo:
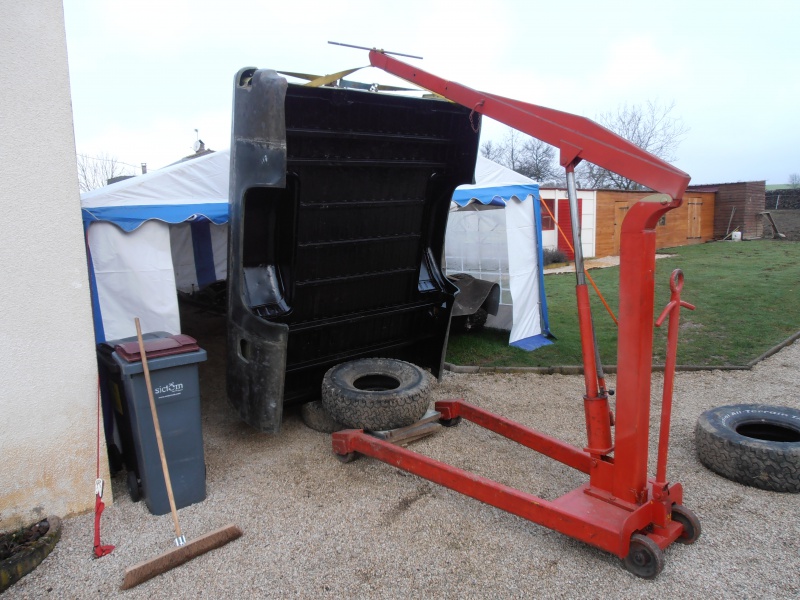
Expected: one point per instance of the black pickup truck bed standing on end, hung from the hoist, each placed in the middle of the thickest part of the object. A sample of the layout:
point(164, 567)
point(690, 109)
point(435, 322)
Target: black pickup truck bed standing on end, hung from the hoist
point(339, 203)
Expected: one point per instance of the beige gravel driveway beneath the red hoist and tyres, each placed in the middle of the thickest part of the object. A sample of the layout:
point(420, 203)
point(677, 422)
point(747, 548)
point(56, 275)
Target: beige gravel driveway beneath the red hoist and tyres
point(317, 528)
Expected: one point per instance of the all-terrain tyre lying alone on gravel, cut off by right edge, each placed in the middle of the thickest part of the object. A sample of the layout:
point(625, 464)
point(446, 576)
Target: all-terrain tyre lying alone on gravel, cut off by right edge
point(753, 444)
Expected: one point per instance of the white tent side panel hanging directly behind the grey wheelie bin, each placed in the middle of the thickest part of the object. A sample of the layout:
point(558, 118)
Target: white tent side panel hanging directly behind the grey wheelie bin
point(134, 278)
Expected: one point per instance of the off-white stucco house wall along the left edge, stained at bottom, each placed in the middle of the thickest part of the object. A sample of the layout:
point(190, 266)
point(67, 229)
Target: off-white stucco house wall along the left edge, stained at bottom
point(48, 370)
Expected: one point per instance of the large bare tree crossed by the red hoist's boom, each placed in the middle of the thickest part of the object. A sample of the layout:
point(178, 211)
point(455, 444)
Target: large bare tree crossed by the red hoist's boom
point(650, 127)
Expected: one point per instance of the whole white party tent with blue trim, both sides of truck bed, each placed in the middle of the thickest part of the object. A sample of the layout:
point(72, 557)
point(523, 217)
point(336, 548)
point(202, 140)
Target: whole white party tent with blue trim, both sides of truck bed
point(151, 235)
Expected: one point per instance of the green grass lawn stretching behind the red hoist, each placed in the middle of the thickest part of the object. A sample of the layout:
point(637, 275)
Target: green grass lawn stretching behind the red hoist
point(747, 297)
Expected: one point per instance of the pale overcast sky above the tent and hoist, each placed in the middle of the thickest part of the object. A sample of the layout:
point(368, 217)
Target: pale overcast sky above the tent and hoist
point(146, 74)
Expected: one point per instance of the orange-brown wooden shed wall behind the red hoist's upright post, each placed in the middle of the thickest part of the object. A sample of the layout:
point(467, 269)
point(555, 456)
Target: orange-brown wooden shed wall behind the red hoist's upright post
point(691, 223)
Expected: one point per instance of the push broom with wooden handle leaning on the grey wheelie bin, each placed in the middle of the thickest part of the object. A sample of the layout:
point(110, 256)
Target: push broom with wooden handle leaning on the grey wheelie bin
point(184, 551)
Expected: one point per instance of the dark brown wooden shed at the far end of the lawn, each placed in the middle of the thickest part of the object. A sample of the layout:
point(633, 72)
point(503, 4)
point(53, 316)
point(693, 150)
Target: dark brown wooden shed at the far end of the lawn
point(739, 205)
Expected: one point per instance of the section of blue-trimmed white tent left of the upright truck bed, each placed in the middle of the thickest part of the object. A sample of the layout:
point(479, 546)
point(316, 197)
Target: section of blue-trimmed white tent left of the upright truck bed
point(151, 235)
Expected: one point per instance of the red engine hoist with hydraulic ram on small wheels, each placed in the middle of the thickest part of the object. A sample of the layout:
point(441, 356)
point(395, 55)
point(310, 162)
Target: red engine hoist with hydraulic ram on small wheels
point(620, 509)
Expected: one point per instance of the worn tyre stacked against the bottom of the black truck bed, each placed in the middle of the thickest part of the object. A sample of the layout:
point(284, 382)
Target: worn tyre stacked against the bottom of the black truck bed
point(376, 393)
